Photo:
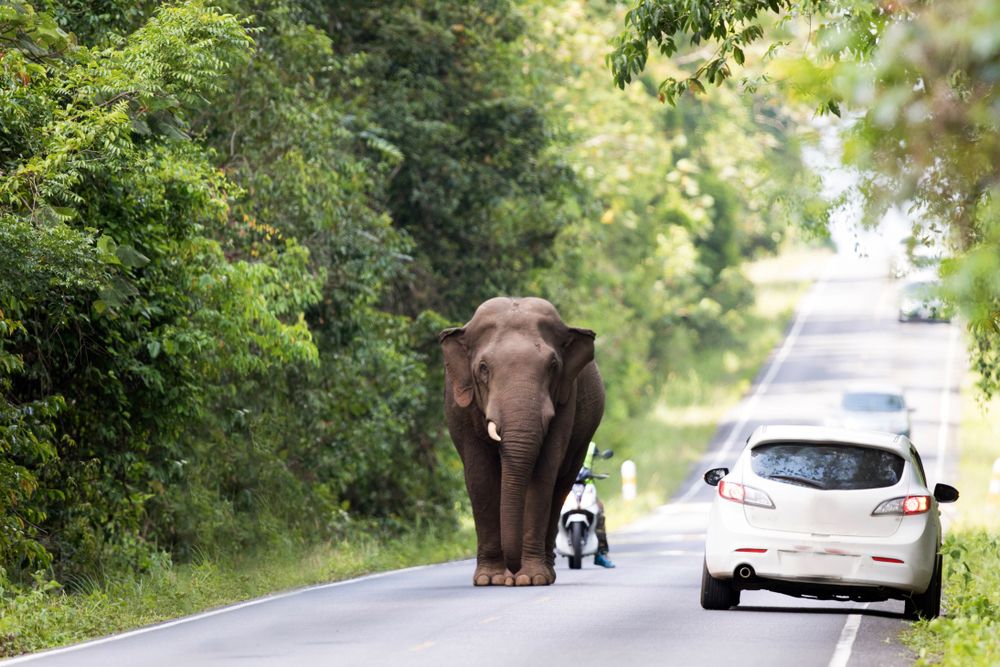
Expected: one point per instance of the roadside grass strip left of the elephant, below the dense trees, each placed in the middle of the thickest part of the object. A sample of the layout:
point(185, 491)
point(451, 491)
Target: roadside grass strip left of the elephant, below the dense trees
point(43, 618)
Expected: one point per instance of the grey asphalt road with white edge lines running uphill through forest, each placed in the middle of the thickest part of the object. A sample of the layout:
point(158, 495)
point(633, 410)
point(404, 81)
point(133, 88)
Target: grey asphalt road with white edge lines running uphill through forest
point(646, 611)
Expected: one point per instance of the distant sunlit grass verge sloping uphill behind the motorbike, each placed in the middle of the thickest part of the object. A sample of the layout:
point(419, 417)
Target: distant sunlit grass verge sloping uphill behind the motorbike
point(665, 443)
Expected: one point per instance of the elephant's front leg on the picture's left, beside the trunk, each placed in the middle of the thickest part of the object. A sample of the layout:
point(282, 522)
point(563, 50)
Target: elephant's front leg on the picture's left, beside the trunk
point(482, 481)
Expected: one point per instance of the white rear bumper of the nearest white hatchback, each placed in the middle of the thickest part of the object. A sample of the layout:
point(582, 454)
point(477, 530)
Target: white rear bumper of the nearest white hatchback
point(840, 561)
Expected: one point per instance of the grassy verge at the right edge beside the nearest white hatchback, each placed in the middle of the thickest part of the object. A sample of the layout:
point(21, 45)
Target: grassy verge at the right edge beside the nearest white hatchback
point(968, 634)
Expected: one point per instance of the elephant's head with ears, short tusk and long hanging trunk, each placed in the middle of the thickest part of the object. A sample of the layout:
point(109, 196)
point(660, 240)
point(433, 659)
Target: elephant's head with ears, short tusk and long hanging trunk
point(513, 367)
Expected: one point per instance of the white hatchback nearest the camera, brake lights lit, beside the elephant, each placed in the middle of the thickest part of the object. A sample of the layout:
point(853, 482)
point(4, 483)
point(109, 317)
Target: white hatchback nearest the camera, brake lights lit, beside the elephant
point(825, 513)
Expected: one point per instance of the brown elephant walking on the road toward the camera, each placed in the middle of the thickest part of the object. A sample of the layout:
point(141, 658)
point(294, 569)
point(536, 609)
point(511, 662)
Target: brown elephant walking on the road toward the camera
point(523, 399)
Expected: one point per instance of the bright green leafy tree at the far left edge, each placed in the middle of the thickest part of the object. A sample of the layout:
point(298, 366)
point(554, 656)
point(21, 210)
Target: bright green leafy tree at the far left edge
point(119, 310)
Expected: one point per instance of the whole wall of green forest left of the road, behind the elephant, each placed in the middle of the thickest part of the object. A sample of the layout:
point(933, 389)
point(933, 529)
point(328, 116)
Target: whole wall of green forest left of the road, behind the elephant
point(230, 236)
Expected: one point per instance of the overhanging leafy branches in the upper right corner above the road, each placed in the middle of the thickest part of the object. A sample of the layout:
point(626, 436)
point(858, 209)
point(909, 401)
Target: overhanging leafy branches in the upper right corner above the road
point(922, 82)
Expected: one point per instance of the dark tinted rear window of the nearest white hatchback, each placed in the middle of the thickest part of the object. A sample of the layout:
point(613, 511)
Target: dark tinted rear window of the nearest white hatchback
point(827, 466)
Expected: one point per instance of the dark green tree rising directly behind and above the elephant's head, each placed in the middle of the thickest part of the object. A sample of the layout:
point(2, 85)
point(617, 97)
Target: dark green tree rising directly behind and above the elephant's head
point(478, 188)
